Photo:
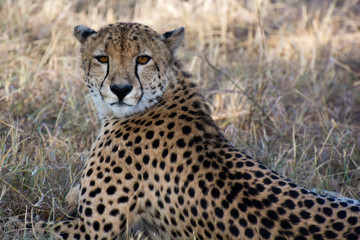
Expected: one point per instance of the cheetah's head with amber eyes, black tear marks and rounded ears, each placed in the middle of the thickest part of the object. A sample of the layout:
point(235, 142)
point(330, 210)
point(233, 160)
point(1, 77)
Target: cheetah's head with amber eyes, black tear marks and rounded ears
point(127, 67)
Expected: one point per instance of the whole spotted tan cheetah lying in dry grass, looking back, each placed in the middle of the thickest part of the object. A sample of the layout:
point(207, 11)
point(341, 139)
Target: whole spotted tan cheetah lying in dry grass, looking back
point(161, 165)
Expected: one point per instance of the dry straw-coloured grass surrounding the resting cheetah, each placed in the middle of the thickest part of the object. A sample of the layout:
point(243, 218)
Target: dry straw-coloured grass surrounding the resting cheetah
point(283, 78)
